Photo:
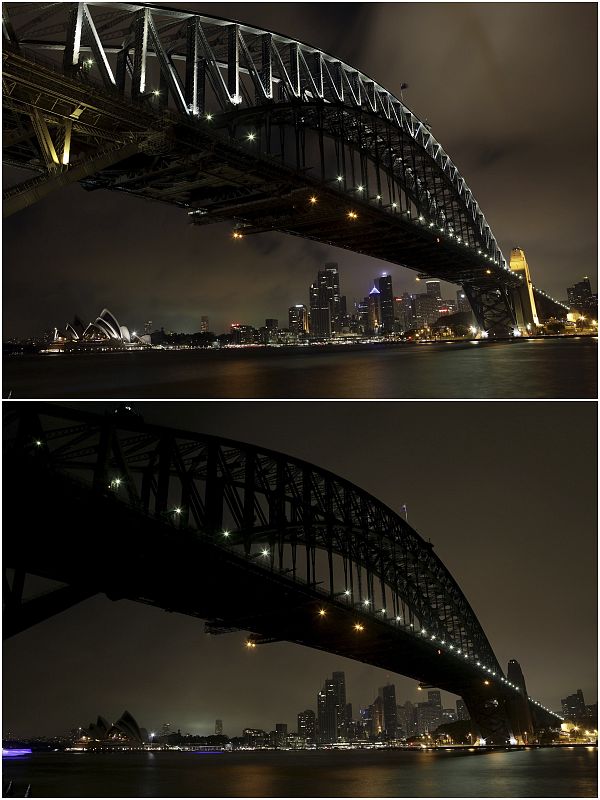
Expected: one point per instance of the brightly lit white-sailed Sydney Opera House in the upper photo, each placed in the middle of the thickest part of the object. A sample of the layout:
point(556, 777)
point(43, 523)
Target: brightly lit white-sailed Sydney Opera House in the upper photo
point(106, 333)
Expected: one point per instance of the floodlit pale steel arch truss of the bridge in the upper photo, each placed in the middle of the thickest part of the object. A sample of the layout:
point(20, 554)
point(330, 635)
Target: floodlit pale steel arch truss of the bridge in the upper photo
point(279, 69)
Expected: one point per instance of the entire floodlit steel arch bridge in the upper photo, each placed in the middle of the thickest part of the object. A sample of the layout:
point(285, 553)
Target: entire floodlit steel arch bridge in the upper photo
point(235, 123)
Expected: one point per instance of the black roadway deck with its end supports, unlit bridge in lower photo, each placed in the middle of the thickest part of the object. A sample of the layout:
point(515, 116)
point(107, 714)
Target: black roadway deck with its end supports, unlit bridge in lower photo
point(94, 542)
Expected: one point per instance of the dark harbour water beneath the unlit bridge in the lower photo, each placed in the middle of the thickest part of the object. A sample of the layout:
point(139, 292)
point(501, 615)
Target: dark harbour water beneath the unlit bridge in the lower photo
point(530, 773)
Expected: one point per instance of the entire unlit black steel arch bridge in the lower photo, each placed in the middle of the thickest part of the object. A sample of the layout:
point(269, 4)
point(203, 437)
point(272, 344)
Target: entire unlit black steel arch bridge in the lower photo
point(245, 538)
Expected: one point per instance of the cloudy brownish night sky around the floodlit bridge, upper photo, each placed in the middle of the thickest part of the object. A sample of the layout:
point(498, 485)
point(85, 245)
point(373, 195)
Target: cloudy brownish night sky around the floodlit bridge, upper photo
point(510, 91)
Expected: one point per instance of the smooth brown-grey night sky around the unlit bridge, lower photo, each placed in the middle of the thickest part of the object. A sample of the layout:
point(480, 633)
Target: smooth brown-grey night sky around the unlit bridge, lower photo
point(505, 491)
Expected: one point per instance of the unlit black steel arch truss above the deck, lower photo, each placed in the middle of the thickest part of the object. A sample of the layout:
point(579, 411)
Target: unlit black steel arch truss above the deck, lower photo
point(263, 497)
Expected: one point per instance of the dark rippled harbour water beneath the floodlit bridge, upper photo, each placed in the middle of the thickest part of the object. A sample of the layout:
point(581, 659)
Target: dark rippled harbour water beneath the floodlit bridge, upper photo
point(535, 368)
